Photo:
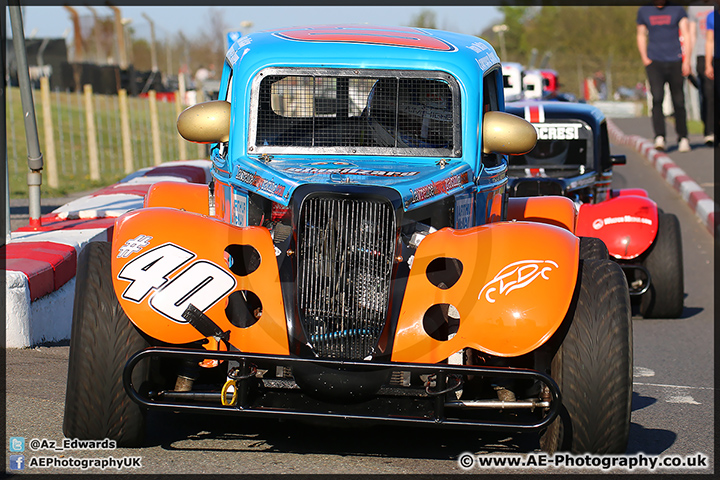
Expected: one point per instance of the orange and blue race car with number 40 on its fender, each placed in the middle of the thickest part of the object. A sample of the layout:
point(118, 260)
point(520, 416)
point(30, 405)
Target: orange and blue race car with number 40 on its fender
point(355, 258)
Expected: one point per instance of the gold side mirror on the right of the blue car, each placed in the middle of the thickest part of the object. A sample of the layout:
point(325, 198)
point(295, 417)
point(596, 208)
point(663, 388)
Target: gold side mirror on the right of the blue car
point(507, 134)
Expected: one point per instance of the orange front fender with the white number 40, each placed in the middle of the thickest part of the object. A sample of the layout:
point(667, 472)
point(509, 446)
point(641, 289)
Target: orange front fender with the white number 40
point(165, 259)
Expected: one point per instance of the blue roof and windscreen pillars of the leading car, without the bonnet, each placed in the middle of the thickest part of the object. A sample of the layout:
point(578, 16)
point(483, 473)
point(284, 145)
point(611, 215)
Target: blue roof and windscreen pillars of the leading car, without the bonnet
point(466, 58)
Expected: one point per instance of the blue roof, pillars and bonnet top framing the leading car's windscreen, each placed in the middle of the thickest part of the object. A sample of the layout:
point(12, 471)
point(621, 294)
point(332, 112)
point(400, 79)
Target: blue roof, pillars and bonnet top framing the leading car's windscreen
point(466, 58)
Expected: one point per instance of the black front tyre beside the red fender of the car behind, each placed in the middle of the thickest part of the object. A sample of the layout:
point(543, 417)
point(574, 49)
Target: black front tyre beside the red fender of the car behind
point(664, 261)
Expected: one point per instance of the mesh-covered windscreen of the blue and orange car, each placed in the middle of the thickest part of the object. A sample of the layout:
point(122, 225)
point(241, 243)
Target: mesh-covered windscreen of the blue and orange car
point(359, 112)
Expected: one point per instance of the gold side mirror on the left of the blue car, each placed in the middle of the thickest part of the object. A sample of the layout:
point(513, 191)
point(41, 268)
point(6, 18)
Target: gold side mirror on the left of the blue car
point(207, 122)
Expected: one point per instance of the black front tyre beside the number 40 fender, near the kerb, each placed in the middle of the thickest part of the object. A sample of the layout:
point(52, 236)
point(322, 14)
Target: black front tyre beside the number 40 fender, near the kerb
point(102, 340)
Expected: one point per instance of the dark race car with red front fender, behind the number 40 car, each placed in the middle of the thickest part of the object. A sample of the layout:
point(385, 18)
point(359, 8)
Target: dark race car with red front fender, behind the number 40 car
point(572, 158)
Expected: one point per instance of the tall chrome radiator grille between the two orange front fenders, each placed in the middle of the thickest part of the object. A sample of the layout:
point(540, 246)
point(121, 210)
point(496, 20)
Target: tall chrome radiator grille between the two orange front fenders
point(345, 257)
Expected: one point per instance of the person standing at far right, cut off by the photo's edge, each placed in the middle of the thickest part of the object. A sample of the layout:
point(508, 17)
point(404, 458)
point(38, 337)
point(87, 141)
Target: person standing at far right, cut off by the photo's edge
point(697, 15)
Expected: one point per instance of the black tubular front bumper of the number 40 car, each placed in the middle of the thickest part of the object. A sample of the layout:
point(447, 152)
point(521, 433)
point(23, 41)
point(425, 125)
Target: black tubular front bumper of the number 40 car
point(390, 405)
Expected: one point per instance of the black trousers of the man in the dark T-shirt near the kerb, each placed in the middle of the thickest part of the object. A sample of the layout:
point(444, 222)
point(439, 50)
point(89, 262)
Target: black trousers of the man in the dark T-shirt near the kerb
point(660, 73)
